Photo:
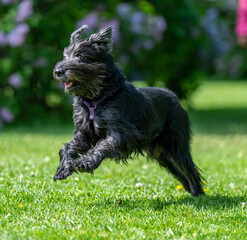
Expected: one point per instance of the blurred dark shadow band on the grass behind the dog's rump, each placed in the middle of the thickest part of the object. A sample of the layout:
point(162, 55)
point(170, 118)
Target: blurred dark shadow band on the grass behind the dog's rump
point(220, 121)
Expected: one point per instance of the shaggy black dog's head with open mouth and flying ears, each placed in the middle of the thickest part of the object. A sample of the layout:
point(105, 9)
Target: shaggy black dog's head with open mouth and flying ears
point(86, 64)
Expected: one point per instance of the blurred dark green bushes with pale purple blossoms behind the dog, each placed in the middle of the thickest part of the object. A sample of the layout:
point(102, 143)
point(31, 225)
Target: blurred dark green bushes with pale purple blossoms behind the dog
point(173, 44)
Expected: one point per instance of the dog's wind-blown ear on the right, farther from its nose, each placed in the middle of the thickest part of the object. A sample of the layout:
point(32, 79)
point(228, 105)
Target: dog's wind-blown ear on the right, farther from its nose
point(103, 39)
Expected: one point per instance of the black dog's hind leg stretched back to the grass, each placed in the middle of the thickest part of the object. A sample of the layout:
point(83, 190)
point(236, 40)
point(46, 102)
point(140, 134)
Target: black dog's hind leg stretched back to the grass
point(176, 142)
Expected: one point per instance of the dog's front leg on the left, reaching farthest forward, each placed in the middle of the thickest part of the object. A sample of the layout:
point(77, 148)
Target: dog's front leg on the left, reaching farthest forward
point(69, 152)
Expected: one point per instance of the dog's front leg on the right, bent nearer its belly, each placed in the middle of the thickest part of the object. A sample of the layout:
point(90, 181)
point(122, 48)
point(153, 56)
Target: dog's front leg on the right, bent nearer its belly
point(107, 148)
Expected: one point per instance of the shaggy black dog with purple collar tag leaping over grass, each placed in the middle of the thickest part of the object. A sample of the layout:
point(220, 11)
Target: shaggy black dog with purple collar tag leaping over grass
point(114, 119)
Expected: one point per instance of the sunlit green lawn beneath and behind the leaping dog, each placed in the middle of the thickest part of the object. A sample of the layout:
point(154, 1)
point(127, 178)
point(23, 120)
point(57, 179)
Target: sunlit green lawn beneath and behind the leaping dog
point(108, 205)
